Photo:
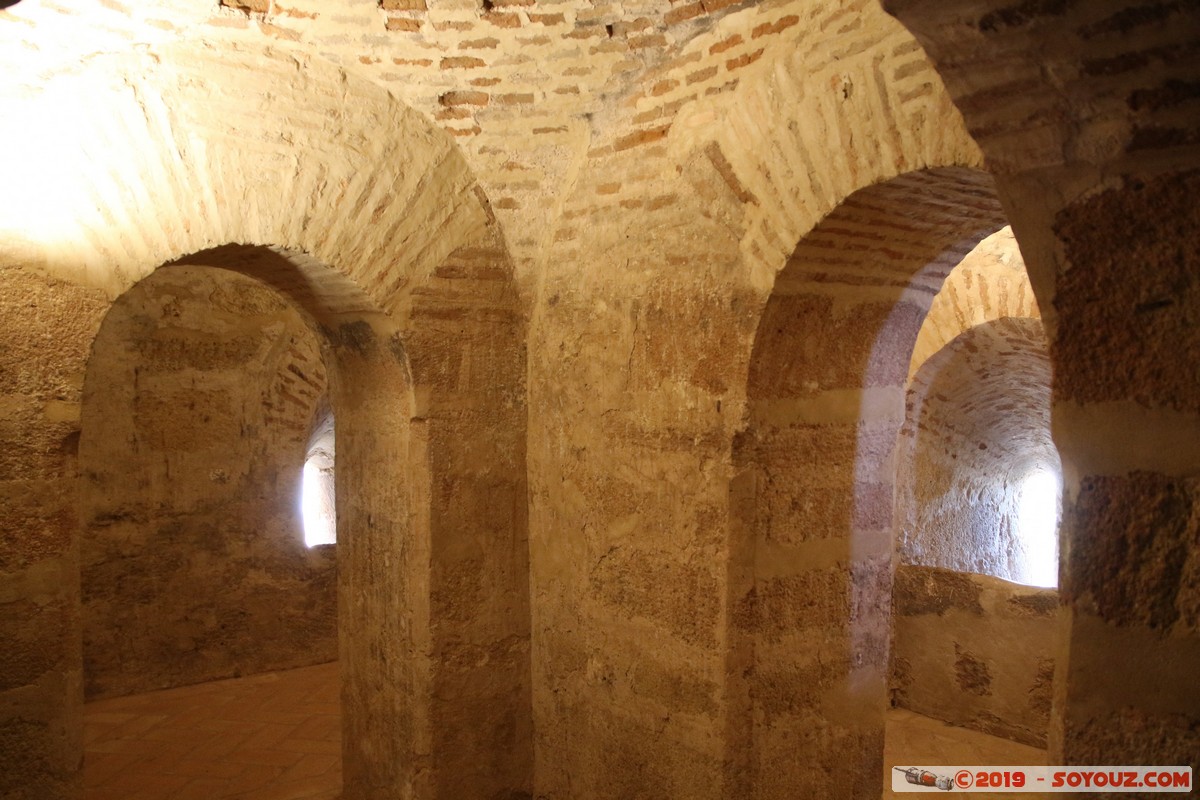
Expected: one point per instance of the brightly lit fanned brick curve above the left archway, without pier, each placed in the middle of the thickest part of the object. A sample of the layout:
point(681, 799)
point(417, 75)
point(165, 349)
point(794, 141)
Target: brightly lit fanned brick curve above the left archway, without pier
point(183, 155)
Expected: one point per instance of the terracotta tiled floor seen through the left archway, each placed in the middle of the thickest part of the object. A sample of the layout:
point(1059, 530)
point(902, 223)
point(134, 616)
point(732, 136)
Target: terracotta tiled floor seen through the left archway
point(272, 737)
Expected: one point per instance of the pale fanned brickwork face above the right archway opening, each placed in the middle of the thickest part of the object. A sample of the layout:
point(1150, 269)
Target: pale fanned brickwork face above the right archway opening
point(827, 118)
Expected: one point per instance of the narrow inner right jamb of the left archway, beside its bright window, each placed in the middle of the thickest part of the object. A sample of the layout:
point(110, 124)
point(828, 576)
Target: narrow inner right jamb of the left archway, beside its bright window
point(382, 569)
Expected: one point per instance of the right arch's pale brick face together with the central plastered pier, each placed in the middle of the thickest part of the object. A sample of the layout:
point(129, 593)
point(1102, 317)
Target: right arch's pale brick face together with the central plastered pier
point(725, 189)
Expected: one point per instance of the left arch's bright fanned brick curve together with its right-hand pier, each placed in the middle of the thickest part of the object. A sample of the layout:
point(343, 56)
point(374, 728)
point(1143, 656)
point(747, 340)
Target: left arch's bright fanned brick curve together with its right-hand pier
point(370, 220)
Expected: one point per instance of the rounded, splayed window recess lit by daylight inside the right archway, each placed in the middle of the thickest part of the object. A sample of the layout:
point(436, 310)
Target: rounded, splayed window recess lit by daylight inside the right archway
point(977, 425)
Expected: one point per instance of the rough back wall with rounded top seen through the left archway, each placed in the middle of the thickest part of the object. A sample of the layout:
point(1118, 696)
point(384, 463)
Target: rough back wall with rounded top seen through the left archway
point(202, 393)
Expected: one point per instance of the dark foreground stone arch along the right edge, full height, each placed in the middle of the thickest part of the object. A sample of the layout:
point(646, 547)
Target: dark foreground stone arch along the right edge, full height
point(1087, 112)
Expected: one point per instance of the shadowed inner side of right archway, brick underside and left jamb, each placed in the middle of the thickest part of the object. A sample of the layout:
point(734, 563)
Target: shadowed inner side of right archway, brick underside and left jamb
point(813, 497)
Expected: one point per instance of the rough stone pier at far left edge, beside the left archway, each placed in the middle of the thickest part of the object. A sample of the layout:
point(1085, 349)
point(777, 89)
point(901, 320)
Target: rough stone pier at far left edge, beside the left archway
point(46, 328)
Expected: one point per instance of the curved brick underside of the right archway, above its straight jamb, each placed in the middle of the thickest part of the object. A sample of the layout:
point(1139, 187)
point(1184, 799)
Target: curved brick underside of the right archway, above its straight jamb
point(890, 245)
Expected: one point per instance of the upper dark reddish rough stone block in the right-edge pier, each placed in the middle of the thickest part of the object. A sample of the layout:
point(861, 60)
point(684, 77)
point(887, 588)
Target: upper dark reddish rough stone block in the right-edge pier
point(1145, 324)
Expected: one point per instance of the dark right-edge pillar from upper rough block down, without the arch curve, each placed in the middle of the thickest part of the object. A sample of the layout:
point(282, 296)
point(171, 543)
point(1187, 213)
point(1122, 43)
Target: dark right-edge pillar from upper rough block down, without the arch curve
point(1127, 418)
